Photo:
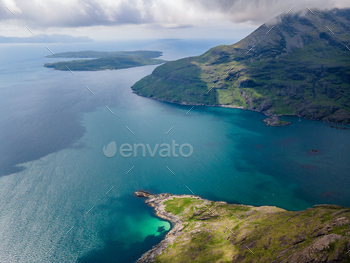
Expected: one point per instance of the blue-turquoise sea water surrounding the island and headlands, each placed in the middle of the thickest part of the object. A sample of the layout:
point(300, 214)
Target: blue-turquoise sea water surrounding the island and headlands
point(53, 131)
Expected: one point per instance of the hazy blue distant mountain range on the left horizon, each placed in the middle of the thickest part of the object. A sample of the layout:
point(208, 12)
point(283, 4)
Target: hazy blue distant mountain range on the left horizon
point(43, 38)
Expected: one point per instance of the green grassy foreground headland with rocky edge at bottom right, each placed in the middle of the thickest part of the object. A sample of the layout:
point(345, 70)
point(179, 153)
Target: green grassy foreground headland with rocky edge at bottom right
point(207, 231)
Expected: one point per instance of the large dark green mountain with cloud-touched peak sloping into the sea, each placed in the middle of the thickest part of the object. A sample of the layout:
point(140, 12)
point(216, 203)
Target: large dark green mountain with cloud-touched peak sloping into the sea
point(297, 65)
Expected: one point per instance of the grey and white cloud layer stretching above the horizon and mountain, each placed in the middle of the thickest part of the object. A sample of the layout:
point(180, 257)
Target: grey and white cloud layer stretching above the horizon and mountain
point(165, 13)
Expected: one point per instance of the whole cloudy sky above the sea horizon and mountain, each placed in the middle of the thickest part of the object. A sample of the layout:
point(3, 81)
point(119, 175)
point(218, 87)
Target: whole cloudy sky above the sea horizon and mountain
point(147, 19)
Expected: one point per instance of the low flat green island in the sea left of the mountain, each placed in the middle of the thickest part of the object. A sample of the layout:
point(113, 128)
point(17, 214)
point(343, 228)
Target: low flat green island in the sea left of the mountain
point(105, 60)
